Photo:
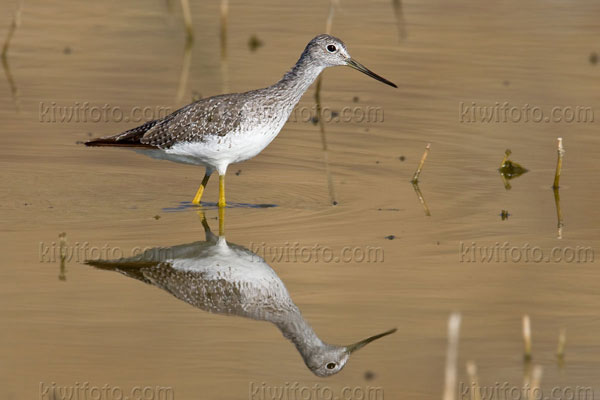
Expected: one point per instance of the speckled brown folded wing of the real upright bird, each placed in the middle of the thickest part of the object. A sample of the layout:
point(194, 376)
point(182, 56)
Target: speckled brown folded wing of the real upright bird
point(214, 116)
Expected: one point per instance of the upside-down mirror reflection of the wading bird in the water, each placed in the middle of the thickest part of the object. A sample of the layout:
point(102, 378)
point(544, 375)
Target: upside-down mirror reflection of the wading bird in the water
point(228, 279)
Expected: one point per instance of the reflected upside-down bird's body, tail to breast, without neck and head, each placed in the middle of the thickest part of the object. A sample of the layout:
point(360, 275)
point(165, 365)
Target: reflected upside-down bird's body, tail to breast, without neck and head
point(215, 277)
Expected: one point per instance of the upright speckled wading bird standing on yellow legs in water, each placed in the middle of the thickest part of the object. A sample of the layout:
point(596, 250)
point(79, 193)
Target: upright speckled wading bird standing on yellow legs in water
point(221, 130)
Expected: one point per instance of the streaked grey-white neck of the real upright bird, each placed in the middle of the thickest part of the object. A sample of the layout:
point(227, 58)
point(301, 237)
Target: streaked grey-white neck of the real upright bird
point(297, 80)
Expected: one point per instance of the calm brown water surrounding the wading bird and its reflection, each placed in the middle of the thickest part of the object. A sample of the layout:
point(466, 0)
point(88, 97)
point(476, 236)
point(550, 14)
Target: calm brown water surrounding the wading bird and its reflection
point(106, 329)
